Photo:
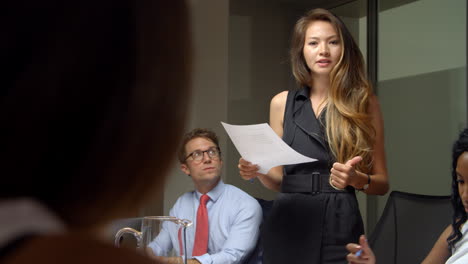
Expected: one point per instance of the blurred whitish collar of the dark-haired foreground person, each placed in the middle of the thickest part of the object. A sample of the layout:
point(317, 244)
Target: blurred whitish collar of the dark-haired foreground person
point(26, 216)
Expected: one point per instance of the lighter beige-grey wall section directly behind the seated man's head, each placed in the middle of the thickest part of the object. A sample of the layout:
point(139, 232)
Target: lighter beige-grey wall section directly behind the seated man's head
point(209, 98)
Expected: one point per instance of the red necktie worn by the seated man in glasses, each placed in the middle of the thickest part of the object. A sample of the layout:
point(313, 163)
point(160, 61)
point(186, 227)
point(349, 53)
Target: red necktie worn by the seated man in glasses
point(201, 232)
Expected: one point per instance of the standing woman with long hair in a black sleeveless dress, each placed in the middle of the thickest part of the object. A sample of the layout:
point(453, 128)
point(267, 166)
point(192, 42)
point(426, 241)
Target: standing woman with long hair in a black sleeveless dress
point(335, 118)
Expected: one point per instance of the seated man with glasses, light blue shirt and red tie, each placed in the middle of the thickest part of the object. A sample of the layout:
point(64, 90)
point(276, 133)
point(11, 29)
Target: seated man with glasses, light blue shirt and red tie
point(226, 219)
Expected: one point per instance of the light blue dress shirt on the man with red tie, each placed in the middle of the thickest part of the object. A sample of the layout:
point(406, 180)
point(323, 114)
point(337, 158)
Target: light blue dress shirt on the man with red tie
point(233, 218)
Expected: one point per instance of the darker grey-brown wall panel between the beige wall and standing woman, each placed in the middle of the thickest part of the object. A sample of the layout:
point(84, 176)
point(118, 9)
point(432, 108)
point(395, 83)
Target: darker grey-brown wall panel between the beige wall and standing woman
point(258, 69)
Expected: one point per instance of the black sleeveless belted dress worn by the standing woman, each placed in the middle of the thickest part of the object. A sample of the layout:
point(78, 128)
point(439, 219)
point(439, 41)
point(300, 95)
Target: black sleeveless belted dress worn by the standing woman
point(310, 221)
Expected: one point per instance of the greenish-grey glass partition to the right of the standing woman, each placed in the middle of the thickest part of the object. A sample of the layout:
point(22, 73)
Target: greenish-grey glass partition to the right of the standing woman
point(422, 90)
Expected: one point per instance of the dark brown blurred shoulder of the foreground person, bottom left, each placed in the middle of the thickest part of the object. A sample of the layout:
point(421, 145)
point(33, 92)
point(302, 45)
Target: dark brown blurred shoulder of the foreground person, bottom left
point(71, 249)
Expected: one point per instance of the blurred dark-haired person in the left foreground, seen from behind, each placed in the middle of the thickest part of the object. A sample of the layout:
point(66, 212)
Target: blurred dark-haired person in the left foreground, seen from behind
point(93, 104)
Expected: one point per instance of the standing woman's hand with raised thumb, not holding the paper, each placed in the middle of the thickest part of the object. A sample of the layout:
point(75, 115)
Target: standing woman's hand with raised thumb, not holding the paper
point(342, 175)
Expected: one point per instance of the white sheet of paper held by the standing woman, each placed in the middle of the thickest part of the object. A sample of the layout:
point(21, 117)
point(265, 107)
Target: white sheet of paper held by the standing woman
point(260, 145)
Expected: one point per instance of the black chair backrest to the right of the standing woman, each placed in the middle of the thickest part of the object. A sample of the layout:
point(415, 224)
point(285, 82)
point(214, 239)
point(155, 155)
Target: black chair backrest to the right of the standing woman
point(409, 226)
